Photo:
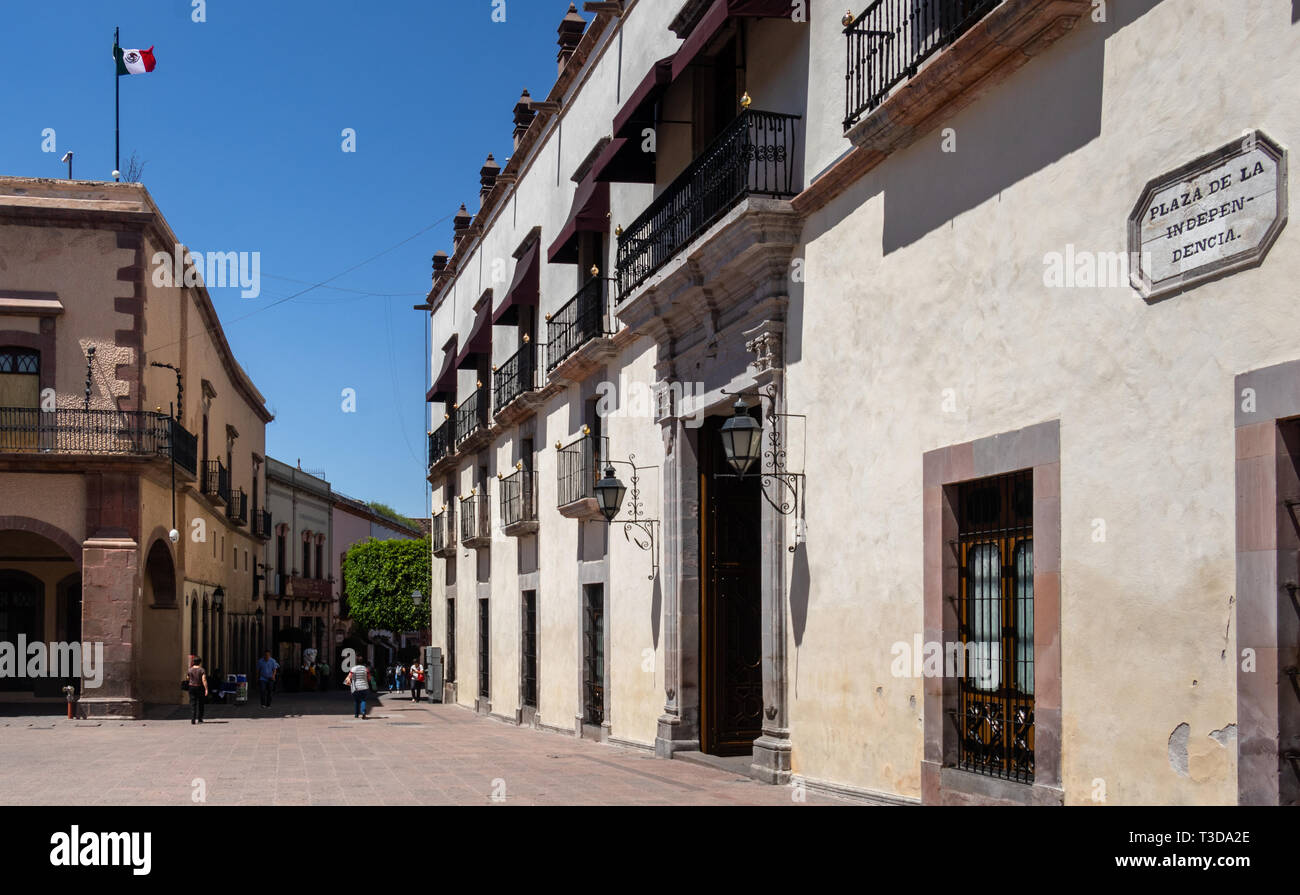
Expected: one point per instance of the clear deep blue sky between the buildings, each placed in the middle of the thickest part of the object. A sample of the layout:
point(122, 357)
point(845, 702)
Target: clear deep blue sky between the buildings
point(240, 129)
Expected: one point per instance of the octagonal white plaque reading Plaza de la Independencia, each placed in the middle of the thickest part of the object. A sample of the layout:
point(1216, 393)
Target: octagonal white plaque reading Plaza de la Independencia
point(1214, 217)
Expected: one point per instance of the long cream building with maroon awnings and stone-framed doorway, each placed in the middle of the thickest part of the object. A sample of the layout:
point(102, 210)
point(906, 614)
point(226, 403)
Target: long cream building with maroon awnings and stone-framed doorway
point(1009, 308)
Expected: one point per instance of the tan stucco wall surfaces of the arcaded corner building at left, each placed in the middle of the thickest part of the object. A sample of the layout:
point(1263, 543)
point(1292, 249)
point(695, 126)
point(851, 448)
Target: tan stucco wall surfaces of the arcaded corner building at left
point(81, 266)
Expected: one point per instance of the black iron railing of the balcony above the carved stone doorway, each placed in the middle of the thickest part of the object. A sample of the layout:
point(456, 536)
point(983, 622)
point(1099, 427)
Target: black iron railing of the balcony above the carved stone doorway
point(753, 157)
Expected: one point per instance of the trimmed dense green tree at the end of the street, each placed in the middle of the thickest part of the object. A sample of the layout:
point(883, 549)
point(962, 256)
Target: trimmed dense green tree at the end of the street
point(382, 577)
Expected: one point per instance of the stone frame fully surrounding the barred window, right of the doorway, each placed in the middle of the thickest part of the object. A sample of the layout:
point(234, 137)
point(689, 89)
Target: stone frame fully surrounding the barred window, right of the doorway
point(1035, 448)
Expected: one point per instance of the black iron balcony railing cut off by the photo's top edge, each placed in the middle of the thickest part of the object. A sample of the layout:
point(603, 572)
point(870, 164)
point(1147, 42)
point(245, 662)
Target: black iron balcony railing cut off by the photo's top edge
point(890, 41)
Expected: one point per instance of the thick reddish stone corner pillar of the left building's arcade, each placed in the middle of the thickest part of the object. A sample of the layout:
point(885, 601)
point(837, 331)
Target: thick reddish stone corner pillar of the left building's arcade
point(110, 616)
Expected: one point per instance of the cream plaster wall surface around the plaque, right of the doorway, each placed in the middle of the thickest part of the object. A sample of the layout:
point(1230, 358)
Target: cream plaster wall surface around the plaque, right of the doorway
point(1145, 396)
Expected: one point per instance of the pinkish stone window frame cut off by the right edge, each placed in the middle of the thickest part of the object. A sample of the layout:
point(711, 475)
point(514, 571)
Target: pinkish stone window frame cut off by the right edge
point(1266, 563)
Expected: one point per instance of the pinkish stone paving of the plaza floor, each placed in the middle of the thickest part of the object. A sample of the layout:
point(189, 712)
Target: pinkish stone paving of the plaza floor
point(310, 751)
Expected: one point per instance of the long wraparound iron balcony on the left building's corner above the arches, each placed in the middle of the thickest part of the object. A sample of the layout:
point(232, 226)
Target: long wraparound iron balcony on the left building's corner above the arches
point(97, 433)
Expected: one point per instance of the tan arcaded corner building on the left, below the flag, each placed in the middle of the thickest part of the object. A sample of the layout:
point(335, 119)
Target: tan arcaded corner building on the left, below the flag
point(105, 453)
